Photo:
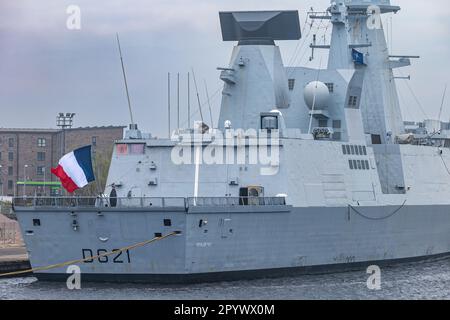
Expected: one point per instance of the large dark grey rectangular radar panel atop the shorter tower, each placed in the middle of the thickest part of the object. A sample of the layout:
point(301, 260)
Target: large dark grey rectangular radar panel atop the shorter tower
point(260, 27)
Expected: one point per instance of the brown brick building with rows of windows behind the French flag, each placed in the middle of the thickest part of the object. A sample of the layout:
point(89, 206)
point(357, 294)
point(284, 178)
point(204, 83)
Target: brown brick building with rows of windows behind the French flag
point(26, 155)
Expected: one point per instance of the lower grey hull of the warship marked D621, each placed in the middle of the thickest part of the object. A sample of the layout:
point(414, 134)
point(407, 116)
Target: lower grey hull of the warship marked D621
point(217, 244)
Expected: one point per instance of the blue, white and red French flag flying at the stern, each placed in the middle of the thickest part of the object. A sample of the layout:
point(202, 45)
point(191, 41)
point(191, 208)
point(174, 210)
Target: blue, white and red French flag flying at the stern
point(75, 169)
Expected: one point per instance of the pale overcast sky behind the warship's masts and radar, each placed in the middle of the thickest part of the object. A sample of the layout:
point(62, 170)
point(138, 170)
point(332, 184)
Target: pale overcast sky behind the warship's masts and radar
point(46, 68)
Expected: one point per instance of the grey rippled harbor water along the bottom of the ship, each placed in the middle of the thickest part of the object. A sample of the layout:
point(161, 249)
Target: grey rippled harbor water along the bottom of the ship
point(419, 280)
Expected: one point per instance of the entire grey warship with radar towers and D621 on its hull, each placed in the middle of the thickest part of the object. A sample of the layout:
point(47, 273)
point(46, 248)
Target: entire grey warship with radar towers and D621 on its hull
point(307, 170)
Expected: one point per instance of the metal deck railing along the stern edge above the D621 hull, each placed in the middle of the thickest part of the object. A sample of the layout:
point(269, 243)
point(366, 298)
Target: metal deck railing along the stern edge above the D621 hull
point(145, 202)
